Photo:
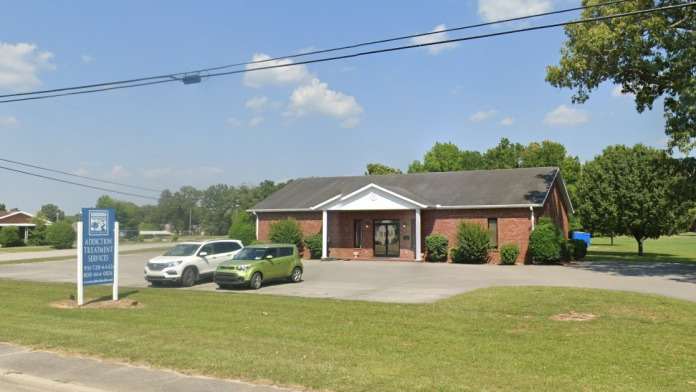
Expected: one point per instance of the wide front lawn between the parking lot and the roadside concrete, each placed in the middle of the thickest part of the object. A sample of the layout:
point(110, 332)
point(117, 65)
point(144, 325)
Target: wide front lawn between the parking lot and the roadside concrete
point(492, 339)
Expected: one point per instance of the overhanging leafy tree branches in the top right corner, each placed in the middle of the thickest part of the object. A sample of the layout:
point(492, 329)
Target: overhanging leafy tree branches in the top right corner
point(648, 56)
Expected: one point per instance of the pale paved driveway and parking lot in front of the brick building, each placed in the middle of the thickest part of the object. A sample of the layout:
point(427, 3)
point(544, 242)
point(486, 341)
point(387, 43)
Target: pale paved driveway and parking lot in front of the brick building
point(409, 282)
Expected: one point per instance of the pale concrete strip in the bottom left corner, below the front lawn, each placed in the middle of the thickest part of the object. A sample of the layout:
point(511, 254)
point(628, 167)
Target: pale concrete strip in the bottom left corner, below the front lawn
point(22, 369)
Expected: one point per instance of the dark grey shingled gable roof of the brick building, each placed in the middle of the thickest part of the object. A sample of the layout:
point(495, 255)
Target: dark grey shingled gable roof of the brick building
point(461, 189)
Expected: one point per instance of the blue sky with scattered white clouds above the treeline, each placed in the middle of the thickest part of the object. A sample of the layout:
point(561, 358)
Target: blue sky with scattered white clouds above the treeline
point(323, 119)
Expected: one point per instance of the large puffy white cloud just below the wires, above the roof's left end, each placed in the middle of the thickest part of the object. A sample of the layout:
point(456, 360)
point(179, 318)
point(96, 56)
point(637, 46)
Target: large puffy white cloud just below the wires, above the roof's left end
point(316, 97)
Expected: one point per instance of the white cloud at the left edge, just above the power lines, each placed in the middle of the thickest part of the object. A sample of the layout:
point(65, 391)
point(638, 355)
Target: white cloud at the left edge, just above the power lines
point(20, 65)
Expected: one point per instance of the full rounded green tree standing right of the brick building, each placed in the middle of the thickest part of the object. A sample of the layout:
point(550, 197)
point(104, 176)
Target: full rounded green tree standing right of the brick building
point(631, 191)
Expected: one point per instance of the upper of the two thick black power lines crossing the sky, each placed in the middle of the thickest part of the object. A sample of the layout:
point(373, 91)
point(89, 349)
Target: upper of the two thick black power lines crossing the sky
point(179, 75)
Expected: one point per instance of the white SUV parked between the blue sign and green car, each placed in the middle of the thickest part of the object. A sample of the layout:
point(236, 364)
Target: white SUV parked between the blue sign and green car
point(188, 262)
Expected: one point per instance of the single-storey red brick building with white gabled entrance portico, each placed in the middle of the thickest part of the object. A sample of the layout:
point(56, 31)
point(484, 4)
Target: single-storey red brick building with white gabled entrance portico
point(389, 216)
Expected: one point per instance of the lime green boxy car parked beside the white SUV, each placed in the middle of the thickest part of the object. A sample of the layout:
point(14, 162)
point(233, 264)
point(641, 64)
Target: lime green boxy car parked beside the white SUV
point(257, 264)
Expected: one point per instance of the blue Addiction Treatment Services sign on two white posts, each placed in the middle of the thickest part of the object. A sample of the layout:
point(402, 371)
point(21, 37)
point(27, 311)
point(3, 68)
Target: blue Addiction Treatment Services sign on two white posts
point(97, 250)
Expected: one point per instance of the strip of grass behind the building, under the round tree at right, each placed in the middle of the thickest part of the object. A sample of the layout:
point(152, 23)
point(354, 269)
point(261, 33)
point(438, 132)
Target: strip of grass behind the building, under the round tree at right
point(677, 248)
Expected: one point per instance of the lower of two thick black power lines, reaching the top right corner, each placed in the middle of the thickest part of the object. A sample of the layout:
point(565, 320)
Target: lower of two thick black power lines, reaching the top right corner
point(385, 50)
